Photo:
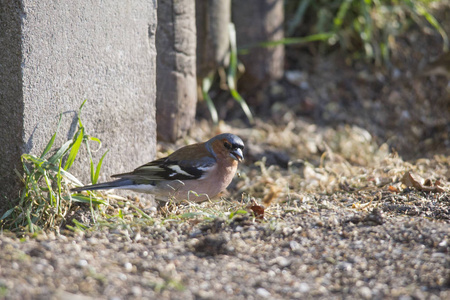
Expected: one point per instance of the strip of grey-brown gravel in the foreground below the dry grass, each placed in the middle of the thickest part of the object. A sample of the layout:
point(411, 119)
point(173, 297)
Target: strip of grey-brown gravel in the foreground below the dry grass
point(321, 250)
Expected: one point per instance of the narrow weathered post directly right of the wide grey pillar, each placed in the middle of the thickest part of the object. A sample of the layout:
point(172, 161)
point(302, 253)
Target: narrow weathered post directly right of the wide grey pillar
point(176, 98)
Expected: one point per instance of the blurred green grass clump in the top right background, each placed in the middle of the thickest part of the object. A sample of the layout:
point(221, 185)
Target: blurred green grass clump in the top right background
point(365, 27)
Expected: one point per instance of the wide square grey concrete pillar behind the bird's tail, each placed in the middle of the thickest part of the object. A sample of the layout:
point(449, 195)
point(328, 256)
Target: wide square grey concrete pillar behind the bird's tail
point(55, 54)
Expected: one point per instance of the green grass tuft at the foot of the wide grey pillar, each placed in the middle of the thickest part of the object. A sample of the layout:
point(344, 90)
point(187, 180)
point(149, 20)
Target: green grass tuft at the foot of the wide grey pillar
point(45, 199)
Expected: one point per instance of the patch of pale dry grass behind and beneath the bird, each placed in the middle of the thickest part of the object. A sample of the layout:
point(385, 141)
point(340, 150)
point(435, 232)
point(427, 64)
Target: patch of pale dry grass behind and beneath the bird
point(333, 168)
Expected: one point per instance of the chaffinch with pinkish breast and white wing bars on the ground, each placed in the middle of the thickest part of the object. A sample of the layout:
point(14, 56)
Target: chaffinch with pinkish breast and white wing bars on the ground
point(196, 172)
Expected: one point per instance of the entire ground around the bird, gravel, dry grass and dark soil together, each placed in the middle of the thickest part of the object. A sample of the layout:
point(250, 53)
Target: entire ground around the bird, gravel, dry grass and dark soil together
point(327, 159)
